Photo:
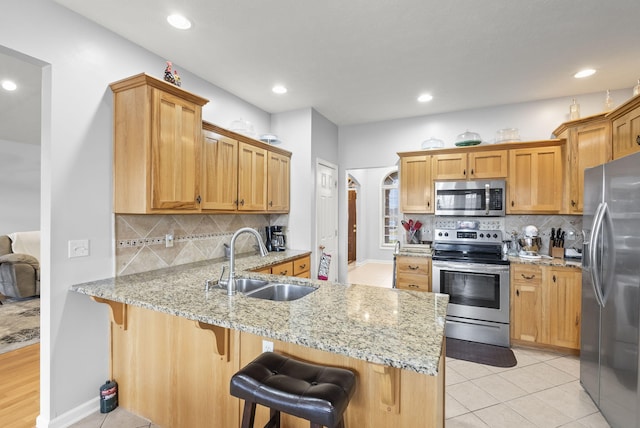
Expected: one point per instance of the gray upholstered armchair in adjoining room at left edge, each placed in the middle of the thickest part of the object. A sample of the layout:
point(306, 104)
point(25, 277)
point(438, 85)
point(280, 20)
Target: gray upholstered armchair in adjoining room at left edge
point(19, 272)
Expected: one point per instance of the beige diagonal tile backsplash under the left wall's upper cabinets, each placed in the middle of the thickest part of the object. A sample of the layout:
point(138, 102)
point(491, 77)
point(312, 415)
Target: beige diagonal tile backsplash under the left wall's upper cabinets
point(141, 239)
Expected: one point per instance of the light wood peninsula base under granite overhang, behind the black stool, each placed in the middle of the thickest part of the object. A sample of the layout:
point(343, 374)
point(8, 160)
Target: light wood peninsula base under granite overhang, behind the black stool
point(176, 372)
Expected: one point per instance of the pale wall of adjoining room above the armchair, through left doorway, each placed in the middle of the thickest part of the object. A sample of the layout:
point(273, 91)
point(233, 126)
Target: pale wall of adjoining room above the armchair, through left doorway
point(19, 187)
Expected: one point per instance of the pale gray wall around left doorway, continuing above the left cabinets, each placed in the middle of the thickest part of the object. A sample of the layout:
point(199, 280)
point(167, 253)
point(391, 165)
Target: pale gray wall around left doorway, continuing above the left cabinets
point(79, 60)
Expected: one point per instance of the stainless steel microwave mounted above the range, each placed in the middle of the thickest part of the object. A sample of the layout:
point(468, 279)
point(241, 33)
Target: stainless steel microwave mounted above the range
point(471, 198)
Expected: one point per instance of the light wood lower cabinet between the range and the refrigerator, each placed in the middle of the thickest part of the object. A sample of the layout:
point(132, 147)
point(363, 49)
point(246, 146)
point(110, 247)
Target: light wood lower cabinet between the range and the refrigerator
point(546, 305)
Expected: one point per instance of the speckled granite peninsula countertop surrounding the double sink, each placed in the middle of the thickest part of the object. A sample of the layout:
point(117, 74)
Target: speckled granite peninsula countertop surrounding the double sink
point(397, 328)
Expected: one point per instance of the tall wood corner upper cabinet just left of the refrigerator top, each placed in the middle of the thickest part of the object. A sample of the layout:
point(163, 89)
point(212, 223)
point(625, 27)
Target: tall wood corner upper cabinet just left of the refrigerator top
point(588, 145)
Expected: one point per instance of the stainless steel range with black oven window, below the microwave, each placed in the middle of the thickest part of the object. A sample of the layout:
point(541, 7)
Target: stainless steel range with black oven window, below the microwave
point(469, 266)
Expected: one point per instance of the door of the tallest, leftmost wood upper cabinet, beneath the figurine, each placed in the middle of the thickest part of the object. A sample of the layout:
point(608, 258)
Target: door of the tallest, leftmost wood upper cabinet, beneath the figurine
point(175, 152)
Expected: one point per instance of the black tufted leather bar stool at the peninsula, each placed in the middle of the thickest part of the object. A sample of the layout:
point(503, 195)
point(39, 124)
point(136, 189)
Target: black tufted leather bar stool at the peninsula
point(316, 393)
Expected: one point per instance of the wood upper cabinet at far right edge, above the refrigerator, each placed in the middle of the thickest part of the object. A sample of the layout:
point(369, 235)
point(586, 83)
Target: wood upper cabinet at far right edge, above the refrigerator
point(626, 128)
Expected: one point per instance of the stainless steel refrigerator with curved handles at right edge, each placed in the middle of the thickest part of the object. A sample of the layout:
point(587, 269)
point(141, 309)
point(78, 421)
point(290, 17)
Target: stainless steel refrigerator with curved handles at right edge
point(610, 289)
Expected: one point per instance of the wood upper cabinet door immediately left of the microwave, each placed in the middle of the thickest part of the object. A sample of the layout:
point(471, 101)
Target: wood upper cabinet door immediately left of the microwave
point(415, 184)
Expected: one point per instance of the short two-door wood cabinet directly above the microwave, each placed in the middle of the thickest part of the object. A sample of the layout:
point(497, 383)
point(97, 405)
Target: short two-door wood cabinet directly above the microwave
point(470, 166)
